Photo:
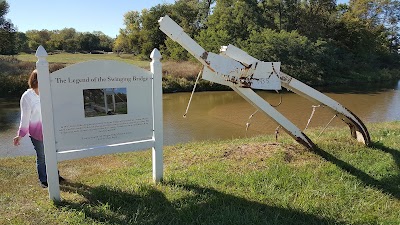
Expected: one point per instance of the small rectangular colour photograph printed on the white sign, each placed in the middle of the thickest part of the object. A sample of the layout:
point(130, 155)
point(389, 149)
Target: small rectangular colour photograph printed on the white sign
point(105, 102)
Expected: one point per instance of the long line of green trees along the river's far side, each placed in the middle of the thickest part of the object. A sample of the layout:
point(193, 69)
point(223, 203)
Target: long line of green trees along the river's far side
point(318, 41)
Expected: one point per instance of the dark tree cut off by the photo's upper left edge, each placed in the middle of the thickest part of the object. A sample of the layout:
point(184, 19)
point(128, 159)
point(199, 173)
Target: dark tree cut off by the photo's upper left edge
point(7, 32)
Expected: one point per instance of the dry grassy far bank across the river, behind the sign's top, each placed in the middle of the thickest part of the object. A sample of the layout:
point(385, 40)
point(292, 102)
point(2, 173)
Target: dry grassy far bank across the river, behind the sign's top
point(177, 76)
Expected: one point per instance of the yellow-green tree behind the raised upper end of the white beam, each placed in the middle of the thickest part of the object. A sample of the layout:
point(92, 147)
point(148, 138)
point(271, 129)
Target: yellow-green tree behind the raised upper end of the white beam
point(141, 33)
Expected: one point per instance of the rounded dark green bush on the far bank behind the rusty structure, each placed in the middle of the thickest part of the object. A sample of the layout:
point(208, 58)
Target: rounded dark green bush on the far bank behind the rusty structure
point(318, 63)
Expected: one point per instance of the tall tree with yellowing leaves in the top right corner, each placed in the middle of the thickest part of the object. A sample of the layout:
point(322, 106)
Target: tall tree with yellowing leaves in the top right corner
point(372, 30)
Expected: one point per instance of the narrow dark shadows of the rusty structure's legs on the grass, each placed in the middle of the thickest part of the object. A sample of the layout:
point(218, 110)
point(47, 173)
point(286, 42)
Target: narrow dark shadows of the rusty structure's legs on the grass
point(387, 185)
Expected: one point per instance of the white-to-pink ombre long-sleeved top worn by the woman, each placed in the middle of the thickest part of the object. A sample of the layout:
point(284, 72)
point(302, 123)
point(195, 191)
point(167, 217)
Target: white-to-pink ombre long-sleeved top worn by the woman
point(31, 116)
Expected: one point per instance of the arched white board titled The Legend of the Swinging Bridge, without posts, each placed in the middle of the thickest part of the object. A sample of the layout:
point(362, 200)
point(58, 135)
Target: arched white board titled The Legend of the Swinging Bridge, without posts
point(101, 103)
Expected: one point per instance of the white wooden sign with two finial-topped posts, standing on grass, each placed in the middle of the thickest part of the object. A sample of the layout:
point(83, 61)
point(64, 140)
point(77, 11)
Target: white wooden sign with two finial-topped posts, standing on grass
point(100, 107)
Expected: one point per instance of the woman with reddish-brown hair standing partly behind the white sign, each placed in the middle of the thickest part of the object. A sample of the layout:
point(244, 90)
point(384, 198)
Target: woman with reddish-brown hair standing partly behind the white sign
point(31, 123)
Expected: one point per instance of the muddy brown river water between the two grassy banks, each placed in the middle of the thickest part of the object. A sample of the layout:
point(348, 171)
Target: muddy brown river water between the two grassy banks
point(223, 115)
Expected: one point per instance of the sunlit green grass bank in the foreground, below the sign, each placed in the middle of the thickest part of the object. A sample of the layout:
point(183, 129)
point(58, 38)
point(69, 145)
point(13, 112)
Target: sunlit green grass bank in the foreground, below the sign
point(244, 181)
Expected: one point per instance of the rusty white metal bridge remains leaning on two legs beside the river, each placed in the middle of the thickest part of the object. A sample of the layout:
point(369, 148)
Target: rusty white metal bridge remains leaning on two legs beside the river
point(235, 68)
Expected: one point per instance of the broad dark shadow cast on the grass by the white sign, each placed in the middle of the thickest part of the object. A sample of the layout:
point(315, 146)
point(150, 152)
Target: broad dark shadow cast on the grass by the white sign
point(193, 204)
